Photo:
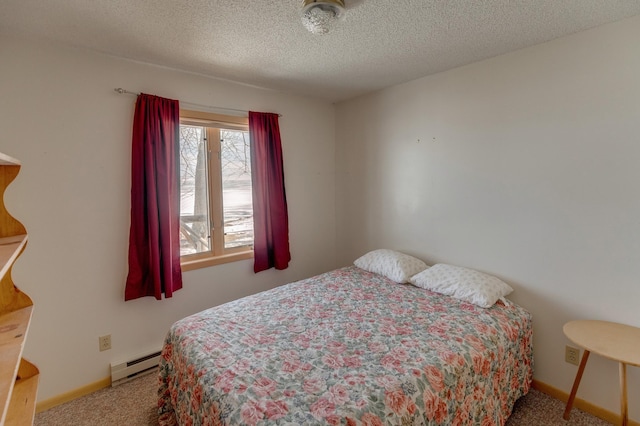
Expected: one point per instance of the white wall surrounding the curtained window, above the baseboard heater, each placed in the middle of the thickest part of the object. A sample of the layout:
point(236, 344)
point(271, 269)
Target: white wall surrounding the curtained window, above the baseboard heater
point(60, 116)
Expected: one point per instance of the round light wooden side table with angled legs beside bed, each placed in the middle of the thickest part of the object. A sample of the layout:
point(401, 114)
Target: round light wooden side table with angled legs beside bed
point(611, 340)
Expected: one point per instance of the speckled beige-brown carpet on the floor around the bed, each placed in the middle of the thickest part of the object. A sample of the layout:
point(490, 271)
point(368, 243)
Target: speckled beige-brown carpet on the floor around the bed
point(134, 404)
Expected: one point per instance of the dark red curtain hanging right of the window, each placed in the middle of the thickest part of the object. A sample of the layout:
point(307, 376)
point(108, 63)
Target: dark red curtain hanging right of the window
point(270, 217)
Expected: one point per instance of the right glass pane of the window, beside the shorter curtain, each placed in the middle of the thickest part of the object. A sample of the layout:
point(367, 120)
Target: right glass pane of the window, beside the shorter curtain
point(235, 162)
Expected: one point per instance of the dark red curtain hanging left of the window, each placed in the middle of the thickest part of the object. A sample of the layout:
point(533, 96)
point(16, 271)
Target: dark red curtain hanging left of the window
point(154, 239)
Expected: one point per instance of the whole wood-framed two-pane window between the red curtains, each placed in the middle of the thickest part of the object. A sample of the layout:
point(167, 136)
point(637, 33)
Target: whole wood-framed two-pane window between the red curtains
point(216, 212)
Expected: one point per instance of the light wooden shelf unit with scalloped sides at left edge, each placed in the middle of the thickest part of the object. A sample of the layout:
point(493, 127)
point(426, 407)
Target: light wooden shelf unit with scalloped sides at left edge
point(18, 377)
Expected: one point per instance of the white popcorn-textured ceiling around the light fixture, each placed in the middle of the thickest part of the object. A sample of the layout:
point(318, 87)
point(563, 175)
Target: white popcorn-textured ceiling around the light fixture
point(262, 42)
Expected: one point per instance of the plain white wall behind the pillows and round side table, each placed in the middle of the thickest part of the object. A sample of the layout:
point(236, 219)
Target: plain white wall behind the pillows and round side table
point(526, 166)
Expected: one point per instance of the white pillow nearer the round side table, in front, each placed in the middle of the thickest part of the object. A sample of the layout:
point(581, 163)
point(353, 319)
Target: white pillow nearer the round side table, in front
point(462, 283)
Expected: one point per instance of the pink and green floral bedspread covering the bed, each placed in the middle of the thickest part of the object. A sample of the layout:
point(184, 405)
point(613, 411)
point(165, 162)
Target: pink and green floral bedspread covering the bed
point(346, 347)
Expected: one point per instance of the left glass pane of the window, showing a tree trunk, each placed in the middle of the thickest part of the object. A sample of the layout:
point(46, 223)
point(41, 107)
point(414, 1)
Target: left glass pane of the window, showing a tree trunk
point(194, 195)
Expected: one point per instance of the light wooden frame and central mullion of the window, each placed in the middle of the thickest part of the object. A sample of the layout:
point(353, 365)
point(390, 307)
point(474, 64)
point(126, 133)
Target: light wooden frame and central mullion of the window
point(213, 123)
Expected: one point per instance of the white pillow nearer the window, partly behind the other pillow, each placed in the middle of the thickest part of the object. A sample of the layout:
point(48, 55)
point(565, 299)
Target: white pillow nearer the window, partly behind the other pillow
point(394, 265)
